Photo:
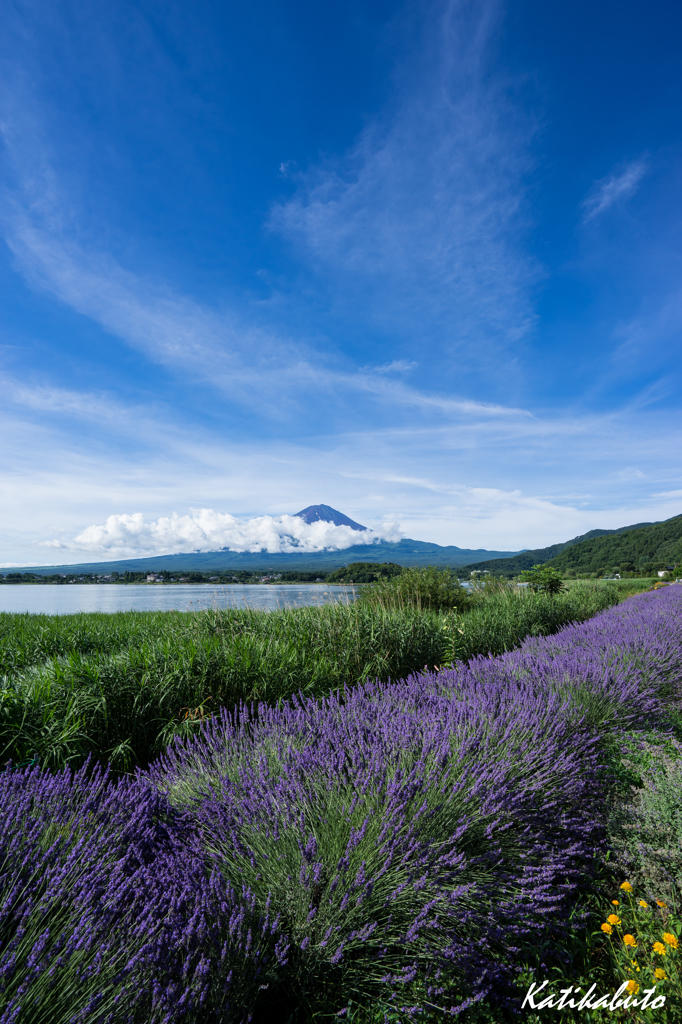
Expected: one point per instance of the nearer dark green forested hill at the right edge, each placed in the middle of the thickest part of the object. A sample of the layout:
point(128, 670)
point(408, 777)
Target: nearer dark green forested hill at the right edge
point(653, 548)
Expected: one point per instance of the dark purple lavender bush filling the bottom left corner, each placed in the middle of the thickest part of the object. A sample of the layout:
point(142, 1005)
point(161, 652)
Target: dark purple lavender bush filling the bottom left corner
point(107, 911)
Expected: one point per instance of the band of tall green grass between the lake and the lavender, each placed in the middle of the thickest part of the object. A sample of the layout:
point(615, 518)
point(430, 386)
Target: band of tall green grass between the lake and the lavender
point(121, 687)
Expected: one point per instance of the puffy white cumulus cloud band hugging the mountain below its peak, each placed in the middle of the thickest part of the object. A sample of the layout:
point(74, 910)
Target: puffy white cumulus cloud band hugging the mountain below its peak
point(205, 530)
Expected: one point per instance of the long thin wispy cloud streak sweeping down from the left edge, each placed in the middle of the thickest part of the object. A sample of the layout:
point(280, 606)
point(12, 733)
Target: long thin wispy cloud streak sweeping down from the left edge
point(215, 349)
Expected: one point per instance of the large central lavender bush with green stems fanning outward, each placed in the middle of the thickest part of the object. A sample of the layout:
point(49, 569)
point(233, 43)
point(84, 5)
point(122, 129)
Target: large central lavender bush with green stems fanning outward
point(400, 832)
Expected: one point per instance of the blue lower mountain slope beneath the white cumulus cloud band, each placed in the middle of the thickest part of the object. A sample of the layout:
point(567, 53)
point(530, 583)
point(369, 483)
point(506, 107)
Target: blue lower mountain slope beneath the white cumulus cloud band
point(404, 552)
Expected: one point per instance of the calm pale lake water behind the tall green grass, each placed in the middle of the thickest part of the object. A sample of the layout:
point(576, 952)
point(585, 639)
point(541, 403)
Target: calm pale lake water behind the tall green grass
point(57, 600)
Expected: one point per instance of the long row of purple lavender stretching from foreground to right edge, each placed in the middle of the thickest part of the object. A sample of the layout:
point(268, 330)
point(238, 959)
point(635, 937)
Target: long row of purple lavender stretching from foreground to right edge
point(400, 843)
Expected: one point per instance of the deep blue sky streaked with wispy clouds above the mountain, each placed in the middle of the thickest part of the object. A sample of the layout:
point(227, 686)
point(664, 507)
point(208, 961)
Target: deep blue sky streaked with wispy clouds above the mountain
point(418, 262)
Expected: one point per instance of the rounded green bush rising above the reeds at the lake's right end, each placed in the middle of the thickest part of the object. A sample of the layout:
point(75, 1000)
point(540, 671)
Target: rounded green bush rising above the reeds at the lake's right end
point(429, 588)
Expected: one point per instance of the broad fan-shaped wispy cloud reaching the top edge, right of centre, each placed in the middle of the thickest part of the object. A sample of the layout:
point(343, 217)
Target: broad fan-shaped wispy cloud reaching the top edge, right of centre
point(420, 223)
